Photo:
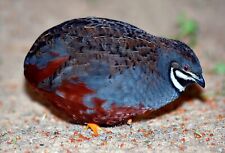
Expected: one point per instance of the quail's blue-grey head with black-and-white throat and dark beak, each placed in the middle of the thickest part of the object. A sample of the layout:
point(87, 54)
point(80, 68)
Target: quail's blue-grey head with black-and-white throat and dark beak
point(183, 66)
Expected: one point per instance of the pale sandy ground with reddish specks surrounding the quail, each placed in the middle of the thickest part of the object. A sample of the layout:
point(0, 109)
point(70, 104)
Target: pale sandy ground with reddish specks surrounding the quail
point(28, 125)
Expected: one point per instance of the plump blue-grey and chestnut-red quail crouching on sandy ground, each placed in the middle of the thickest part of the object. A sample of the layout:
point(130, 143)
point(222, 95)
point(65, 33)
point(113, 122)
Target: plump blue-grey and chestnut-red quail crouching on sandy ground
point(106, 72)
